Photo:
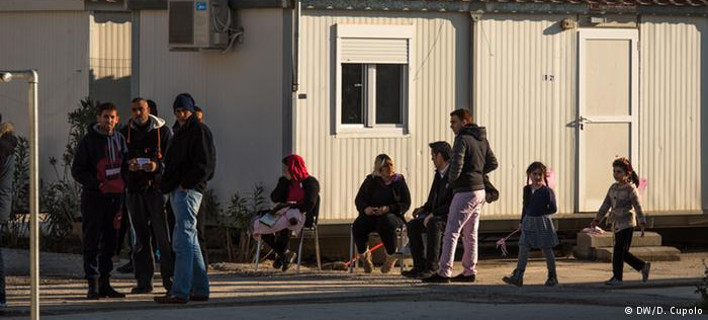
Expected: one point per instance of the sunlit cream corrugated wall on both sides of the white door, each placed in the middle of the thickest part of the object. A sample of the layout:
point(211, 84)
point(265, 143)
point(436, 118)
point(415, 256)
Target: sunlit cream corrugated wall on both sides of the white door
point(527, 116)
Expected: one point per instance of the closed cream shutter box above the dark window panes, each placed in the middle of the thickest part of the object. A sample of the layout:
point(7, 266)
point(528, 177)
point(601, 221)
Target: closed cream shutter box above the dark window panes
point(374, 50)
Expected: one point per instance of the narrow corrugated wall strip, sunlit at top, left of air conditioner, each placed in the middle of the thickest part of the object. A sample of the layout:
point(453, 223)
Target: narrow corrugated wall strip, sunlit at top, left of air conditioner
point(110, 58)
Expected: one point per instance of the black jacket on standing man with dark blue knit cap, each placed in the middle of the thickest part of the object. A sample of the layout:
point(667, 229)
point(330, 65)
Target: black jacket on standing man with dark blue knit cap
point(190, 159)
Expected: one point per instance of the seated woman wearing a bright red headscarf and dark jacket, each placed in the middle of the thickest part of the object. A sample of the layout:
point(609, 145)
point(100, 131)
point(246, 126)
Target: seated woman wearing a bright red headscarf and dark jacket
point(296, 196)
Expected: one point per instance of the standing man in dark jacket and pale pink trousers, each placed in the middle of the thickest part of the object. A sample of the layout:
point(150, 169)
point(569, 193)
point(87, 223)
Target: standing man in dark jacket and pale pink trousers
point(472, 158)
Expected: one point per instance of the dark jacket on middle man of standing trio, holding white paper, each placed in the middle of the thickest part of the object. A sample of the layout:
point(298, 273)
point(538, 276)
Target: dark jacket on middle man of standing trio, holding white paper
point(148, 141)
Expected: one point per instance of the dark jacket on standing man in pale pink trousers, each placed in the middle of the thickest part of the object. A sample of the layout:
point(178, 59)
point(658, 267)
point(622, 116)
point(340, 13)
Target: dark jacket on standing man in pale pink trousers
point(472, 158)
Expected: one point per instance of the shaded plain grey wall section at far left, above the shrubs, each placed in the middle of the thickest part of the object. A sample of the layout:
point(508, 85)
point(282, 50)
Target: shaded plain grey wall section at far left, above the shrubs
point(57, 45)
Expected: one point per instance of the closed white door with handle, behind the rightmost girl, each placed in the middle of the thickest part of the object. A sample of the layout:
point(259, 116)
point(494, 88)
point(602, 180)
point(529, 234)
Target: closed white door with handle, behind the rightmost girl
point(607, 124)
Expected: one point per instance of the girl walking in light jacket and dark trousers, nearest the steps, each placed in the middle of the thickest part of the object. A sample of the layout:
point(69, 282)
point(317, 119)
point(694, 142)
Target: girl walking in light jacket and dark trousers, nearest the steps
point(620, 200)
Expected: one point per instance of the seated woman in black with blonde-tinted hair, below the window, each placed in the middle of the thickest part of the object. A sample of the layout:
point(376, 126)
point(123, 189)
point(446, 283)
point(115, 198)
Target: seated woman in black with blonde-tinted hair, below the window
point(382, 201)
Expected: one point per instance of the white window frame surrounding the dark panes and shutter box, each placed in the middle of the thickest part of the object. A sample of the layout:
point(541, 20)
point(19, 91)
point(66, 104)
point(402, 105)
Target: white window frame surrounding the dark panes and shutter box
point(369, 128)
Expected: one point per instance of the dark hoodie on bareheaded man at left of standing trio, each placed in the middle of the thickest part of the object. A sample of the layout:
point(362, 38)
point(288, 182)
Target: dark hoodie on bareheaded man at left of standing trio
point(98, 160)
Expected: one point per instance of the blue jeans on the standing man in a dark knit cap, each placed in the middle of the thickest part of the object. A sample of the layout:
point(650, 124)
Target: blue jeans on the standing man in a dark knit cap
point(190, 271)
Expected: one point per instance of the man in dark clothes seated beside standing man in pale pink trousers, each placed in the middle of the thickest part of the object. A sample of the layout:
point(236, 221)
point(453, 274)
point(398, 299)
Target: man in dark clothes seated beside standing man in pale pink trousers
point(431, 218)
